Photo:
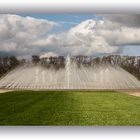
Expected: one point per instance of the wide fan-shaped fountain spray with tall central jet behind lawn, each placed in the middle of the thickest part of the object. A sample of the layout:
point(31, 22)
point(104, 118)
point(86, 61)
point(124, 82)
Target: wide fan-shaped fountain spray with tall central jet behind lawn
point(71, 77)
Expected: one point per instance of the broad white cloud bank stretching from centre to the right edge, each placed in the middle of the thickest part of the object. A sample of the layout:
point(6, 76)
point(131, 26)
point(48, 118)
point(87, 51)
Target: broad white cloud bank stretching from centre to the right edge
point(93, 37)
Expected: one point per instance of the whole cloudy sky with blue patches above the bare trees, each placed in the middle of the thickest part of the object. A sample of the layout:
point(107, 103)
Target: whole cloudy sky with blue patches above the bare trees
point(75, 34)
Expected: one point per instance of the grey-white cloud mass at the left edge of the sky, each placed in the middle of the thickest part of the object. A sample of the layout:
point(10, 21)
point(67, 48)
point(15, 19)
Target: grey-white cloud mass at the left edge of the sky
point(17, 33)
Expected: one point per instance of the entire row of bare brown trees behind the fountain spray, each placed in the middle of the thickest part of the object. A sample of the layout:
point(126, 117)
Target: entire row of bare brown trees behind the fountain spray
point(129, 63)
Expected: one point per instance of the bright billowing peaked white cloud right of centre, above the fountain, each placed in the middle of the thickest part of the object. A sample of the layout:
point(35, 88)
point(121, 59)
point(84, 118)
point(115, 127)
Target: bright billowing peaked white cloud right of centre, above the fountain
point(82, 39)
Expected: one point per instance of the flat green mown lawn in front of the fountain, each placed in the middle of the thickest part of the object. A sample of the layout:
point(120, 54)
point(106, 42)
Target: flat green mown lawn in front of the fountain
point(69, 108)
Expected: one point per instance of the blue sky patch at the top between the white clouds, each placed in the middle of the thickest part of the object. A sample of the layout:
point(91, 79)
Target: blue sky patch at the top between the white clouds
point(66, 20)
